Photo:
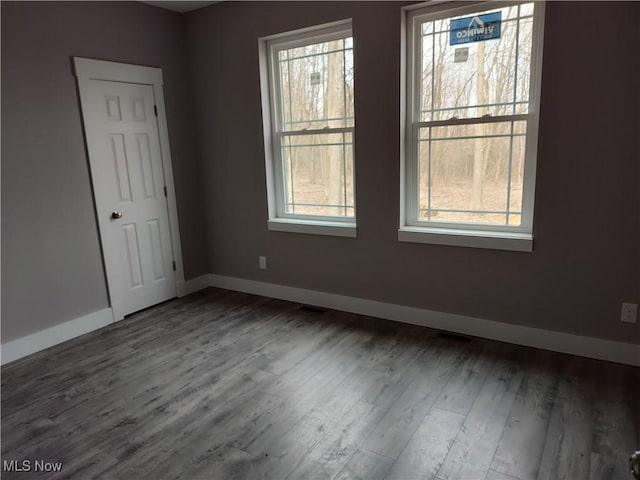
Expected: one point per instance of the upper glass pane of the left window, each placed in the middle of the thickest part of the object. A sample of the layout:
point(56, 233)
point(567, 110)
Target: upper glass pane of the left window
point(316, 85)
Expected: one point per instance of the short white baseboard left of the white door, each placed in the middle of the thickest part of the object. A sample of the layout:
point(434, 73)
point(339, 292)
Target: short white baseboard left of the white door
point(23, 346)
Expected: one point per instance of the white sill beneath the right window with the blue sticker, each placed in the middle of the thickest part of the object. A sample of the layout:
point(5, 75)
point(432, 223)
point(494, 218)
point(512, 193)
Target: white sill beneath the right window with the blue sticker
point(518, 242)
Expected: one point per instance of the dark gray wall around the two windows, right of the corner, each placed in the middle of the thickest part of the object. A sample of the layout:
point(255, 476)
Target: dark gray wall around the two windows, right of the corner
point(587, 245)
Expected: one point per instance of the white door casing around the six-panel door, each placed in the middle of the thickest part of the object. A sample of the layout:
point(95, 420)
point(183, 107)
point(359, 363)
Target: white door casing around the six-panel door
point(86, 70)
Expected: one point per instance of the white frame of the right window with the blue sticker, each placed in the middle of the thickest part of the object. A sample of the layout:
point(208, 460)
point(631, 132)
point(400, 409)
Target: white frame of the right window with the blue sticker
point(500, 237)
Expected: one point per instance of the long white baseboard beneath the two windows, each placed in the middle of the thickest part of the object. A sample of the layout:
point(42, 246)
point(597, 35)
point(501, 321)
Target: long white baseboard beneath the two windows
point(619, 352)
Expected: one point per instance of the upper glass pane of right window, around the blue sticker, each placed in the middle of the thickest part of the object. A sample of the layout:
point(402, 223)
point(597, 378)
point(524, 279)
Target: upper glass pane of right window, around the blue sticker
point(473, 79)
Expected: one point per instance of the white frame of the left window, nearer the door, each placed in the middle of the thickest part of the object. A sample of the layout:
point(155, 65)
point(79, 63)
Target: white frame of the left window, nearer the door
point(279, 219)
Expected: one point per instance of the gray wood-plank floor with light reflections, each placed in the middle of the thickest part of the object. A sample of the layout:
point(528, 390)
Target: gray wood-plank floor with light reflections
point(227, 385)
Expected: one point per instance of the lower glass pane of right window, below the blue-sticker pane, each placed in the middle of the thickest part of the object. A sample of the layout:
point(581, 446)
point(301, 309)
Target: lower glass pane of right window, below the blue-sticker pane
point(471, 173)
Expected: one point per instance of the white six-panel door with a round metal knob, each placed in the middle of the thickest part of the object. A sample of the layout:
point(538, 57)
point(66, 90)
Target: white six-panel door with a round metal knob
point(125, 157)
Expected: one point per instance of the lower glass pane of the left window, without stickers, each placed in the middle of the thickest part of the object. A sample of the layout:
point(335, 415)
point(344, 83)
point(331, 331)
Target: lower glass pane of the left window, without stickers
point(318, 174)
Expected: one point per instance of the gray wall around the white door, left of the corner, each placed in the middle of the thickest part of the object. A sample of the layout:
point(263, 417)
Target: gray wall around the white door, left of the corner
point(51, 263)
